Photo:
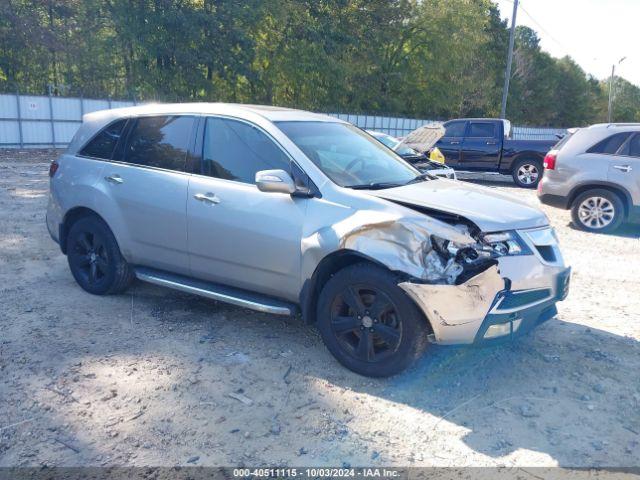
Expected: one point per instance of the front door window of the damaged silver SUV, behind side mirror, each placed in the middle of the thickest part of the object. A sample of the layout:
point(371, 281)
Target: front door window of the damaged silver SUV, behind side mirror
point(236, 151)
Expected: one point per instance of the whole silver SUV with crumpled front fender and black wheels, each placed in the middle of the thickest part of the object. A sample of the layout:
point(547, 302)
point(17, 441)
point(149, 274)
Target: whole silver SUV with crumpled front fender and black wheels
point(289, 212)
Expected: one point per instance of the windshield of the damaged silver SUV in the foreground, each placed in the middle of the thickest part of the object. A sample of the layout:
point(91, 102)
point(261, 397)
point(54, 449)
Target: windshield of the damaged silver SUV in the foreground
point(347, 155)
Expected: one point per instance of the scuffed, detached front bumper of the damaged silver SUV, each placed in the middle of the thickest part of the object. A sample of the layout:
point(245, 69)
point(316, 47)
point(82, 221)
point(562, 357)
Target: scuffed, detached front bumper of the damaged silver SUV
point(500, 303)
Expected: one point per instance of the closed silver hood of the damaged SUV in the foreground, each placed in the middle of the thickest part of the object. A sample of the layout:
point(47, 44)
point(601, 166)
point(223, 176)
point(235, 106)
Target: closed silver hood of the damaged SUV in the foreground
point(490, 210)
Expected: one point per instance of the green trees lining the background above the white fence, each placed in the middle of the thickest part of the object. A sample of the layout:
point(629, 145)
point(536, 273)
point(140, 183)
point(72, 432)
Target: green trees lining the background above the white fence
point(427, 58)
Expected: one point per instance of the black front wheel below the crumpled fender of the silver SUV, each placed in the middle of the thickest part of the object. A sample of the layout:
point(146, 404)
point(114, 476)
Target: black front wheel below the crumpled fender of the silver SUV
point(369, 323)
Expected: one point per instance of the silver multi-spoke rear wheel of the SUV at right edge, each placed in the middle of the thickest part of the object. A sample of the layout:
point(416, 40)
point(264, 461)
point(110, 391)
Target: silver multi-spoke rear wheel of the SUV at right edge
point(597, 210)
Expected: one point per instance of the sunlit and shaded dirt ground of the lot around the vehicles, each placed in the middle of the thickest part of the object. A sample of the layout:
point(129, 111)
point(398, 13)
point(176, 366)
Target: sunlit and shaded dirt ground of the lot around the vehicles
point(157, 377)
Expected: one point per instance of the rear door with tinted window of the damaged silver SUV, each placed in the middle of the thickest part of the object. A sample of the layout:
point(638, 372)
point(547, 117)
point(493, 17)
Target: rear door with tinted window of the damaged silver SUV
point(148, 185)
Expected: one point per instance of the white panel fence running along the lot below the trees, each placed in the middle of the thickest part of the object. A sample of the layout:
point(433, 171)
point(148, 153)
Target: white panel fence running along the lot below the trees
point(29, 121)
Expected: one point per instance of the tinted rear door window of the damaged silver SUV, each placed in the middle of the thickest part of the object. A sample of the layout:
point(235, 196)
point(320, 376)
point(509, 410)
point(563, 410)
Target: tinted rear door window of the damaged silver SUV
point(159, 142)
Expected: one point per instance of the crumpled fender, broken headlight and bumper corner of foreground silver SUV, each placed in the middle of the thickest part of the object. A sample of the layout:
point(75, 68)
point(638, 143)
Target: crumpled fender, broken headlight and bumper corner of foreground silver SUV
point(447, 266)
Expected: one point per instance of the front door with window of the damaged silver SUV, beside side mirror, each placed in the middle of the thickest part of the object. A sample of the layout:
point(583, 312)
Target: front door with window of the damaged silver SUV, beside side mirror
point(239, 235)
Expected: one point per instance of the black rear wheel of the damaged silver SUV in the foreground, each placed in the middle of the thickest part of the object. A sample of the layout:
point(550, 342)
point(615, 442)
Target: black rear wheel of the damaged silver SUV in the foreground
point(95, 259)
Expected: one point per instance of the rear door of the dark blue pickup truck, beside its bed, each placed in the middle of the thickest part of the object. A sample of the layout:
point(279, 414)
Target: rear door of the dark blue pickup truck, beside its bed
point(481, 146)
